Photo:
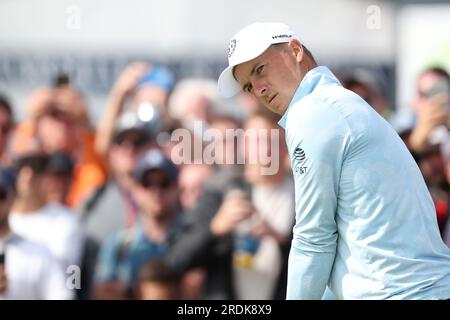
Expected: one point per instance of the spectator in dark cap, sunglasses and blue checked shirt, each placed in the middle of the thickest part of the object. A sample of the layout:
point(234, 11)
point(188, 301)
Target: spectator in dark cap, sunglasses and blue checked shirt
point(123, 255)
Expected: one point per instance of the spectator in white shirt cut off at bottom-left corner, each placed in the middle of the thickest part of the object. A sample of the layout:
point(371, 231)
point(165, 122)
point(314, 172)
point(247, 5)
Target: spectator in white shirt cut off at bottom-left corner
point(27, 270)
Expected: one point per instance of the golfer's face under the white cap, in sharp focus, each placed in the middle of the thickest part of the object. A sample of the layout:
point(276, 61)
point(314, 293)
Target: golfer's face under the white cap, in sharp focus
point(273, 77)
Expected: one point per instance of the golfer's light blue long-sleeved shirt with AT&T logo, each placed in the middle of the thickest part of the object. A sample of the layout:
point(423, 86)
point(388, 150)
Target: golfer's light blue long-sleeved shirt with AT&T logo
point(365, 222)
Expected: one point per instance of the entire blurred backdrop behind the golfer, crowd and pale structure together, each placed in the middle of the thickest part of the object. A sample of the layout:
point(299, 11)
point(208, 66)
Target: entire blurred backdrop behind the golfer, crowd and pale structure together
point(92, 188)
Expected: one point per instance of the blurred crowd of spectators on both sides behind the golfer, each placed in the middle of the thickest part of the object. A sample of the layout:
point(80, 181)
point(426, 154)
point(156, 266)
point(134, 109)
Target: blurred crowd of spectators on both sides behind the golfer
point(109, 211)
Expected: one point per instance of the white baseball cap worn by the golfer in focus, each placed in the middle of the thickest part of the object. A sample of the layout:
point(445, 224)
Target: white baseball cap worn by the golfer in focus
point(248, 44)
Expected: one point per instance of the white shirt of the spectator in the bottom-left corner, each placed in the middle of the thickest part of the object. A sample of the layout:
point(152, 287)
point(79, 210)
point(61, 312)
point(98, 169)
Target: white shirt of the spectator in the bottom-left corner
point(32, 272)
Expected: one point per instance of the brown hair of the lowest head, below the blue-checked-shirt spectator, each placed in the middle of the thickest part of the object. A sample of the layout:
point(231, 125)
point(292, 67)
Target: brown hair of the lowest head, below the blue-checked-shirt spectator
point(158, 271)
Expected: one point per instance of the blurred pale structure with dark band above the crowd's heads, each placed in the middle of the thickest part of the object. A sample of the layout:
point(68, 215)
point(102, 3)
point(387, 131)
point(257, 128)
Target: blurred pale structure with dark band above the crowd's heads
point(93, 40)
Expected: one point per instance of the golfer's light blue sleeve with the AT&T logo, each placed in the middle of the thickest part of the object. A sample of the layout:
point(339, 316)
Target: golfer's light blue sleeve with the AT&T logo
point(318, 138)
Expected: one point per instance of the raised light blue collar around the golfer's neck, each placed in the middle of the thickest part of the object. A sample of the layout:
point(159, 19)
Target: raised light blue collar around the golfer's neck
point(314, 77)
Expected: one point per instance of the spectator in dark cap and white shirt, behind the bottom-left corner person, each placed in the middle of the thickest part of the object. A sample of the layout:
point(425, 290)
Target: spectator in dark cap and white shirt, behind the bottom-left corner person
point(50, 224)
